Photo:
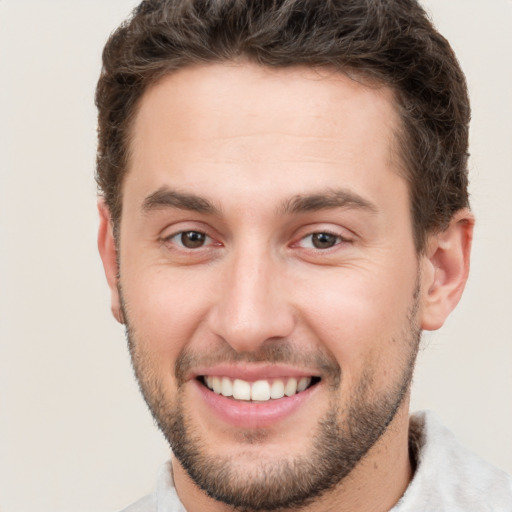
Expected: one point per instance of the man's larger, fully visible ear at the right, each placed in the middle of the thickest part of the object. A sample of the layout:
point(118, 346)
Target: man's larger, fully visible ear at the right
point(446, 269)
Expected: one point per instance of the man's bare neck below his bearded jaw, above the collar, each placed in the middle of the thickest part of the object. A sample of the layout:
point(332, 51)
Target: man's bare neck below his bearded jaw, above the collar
point(375, 485)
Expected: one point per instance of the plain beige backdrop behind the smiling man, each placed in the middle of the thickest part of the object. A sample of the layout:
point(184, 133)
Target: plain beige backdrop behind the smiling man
point(74, 433)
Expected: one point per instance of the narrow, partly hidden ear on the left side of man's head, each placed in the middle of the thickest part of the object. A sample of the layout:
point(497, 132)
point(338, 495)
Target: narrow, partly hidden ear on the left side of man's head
point(108, 253)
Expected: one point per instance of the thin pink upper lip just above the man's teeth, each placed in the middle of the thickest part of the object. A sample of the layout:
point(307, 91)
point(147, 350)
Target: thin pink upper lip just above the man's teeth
point(252, 372)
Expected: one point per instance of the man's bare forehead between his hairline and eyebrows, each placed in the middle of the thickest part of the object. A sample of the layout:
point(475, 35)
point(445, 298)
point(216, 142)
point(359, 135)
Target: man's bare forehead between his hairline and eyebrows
point(299, 127)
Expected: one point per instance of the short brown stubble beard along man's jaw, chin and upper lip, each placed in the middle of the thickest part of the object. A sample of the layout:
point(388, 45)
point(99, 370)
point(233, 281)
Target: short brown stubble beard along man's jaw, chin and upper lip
point(341, 440)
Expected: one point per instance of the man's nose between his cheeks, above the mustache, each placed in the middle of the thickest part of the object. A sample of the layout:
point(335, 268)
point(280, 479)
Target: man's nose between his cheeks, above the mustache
point(252, 305)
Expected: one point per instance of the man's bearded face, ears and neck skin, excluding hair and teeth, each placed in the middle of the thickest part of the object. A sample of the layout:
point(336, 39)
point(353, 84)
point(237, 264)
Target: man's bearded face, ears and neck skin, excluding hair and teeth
point(258, 161)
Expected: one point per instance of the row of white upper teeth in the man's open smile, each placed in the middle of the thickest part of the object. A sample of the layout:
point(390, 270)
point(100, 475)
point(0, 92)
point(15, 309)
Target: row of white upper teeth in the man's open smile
point(260, 390)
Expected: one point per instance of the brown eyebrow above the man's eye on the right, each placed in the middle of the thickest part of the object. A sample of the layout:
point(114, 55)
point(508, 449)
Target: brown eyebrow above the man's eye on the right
point(340, 198)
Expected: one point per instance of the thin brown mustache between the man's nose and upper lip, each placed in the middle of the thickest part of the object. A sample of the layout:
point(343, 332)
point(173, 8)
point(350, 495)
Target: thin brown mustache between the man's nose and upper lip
point(271, 353)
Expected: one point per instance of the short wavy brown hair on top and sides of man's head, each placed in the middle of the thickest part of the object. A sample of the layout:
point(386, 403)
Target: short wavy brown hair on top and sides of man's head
point(391, 42)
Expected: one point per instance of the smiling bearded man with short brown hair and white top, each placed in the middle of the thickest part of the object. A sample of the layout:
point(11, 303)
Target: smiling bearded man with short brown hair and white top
point(283, 210)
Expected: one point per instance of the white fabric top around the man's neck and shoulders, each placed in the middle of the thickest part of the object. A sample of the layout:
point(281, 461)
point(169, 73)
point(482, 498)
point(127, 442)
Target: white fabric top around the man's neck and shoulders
point(448, 477)
